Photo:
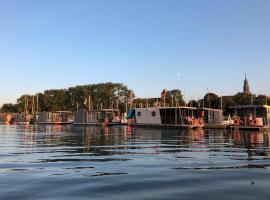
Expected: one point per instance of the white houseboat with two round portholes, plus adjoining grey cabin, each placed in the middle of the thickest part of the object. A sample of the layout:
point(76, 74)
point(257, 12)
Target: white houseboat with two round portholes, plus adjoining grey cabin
point(182, 117)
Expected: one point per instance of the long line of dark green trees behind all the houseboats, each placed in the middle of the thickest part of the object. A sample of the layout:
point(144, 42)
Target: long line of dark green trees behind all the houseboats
point(119, 96)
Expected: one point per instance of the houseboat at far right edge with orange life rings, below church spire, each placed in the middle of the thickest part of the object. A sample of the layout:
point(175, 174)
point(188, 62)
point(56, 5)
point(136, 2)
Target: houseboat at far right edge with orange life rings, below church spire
point(250, 117)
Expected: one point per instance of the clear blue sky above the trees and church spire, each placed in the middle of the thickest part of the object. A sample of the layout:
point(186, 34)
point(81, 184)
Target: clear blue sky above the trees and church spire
point(146, 44)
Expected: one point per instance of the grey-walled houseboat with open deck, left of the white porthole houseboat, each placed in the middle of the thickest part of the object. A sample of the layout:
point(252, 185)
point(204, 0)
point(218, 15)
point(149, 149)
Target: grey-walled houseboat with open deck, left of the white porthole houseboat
point(107, 117)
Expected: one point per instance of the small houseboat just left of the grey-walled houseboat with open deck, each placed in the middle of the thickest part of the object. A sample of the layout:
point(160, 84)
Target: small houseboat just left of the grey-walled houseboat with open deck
point(58, 117)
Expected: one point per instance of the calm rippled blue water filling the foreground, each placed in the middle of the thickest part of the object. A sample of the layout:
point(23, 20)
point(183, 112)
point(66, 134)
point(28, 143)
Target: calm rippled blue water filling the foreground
point(54, 162)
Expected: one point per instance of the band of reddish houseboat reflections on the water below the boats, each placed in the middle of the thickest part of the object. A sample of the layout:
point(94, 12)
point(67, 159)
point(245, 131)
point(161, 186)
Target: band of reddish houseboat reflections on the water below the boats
point(112, 136)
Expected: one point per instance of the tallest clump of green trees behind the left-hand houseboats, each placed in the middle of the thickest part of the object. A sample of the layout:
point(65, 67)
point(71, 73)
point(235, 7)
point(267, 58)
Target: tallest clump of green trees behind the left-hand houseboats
point(107, 95)
